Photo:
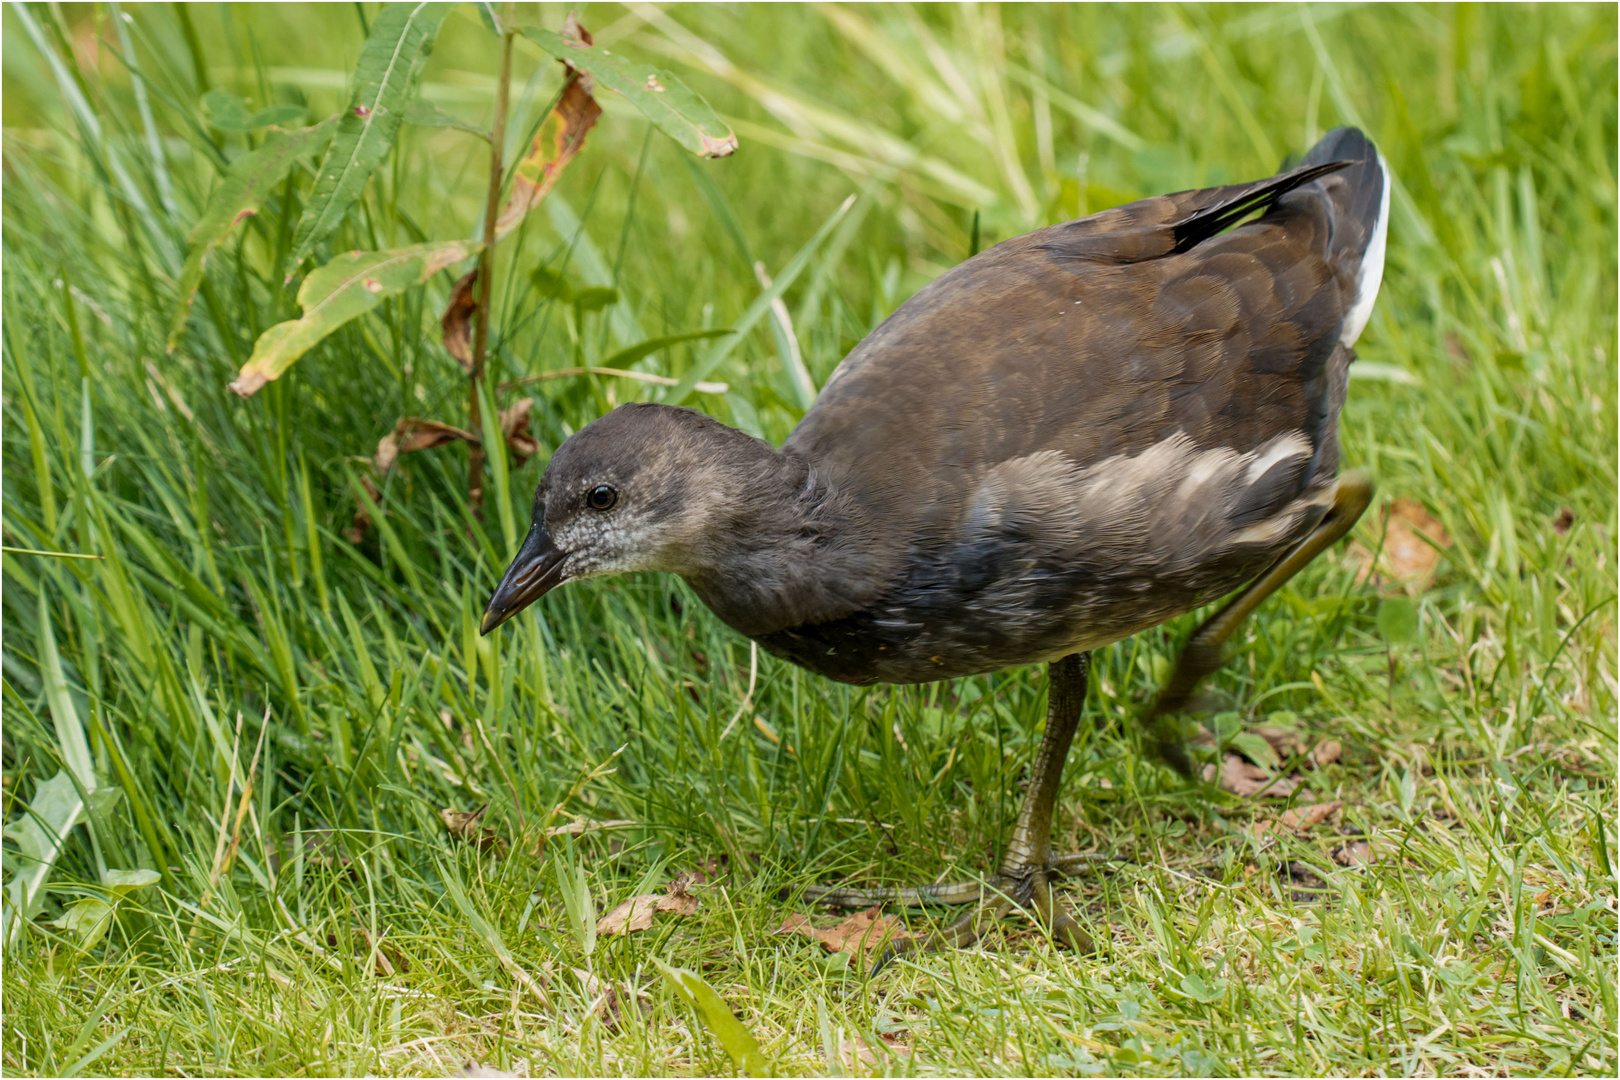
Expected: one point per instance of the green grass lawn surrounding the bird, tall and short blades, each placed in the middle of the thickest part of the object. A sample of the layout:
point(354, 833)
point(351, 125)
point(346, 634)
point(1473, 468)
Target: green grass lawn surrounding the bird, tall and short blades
point(244, 671)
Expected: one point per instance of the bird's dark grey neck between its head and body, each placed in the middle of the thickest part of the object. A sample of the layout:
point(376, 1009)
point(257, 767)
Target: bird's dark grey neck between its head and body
point(782, 550)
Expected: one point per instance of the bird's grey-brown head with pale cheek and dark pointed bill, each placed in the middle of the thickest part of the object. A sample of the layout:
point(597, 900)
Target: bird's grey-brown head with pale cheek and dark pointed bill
point(637, 490)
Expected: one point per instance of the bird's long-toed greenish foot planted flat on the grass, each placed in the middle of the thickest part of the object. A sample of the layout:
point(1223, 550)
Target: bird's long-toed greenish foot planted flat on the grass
point(1025, 888)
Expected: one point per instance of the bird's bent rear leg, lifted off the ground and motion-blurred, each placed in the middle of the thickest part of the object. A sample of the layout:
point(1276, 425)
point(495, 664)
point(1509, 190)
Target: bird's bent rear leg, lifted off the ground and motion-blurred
point(1204, 648)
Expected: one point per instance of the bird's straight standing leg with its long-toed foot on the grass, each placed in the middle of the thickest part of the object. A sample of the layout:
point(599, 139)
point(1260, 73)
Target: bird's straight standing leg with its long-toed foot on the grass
point(1030, 867)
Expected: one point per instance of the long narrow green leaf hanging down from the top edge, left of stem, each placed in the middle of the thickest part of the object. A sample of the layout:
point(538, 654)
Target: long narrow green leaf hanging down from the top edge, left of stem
point(386, 77)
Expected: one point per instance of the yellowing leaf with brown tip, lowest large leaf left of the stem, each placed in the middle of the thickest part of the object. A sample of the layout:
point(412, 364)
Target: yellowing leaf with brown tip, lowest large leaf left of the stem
point(341, 291)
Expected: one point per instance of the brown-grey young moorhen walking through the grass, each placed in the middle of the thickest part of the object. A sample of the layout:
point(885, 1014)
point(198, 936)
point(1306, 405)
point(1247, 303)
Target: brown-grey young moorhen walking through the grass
point(1064, 441)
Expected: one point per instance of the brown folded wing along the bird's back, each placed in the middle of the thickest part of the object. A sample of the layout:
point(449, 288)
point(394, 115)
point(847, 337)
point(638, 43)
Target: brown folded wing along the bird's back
point(1094, 339)
